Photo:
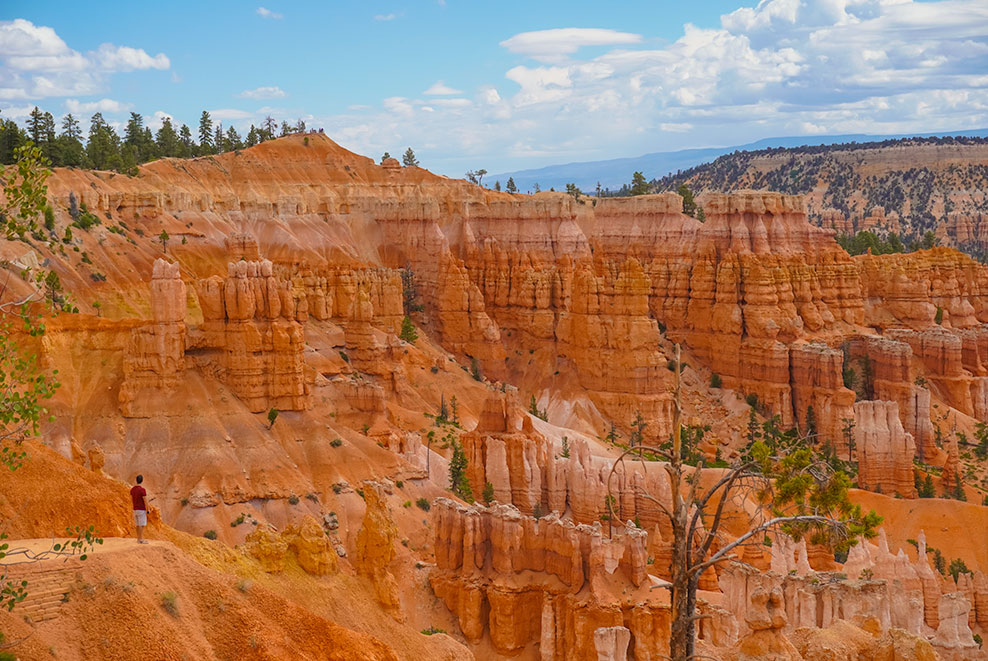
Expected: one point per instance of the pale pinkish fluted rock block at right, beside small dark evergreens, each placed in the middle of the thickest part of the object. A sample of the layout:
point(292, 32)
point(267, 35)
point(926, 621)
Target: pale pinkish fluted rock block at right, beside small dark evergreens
point(885, 450)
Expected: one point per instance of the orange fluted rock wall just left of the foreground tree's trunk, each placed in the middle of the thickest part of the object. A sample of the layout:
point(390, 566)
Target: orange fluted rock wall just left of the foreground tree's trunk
point(524, 579)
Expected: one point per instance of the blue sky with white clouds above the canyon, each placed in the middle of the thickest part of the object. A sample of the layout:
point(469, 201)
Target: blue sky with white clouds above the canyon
point(508, 85)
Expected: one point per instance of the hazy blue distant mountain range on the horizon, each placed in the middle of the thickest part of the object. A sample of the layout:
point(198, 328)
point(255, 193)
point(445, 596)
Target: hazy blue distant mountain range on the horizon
point(615, 172)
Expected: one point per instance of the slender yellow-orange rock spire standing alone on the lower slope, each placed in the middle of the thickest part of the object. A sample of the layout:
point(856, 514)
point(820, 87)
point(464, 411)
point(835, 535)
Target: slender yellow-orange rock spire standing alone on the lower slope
point(375, 548)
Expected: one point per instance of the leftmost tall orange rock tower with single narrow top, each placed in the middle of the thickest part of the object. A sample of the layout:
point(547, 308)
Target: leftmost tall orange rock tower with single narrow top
point(154, 361)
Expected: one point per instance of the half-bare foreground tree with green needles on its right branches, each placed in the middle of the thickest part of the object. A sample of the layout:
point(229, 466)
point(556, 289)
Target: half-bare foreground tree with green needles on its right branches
point(795, 492)
